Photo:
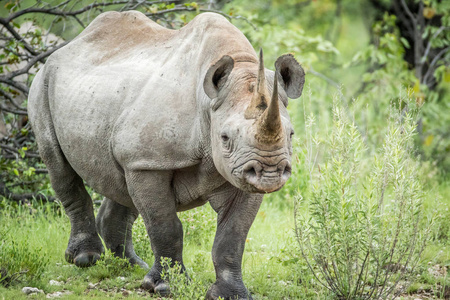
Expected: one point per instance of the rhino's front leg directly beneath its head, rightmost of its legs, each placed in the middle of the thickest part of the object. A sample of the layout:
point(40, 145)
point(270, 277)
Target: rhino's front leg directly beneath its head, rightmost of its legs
point(236, 211)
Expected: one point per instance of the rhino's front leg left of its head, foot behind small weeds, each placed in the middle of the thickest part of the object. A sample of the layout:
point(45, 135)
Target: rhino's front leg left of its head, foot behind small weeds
point(154, 199)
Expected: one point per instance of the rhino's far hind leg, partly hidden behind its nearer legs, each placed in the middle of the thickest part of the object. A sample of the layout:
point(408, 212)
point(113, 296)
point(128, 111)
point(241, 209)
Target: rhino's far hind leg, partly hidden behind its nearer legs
point(114, 224)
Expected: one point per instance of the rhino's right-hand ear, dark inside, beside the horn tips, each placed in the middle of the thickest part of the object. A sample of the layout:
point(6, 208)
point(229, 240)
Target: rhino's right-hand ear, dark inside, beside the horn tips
point(291, 75)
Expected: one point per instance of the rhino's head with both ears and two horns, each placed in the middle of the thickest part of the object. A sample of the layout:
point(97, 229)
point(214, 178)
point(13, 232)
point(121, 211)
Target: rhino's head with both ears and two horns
point(251, 133)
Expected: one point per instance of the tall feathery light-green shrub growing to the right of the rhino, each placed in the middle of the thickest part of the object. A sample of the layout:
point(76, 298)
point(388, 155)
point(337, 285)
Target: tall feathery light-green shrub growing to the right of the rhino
point(360, 231)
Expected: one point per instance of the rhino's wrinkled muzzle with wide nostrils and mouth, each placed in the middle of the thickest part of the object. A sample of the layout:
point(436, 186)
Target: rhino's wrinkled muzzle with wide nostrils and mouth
point(258, 177)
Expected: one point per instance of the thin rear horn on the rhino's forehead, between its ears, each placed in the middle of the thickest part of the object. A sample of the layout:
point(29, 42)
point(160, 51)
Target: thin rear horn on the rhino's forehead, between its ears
point(259, 102)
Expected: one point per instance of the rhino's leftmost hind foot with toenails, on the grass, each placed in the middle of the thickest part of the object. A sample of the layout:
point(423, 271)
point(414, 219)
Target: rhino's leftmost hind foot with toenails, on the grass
point(84, 252)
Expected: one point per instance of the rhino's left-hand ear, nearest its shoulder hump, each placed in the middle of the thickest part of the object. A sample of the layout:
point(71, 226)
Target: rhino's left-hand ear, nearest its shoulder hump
point(217, 75)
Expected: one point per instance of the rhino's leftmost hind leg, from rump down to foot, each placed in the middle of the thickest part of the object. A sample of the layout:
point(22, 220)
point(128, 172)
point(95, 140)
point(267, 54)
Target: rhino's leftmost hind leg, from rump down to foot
point(84, 247)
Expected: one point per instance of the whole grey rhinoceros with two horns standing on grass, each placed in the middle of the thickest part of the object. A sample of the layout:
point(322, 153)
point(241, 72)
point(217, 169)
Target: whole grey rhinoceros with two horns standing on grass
point(160, 121)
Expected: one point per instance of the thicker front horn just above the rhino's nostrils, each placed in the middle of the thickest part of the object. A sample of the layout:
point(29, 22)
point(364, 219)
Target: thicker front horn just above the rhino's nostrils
point(269, 125)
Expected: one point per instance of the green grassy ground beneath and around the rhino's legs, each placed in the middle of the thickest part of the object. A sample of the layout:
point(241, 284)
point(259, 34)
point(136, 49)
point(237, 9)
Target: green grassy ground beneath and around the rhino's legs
point(272, 266)
